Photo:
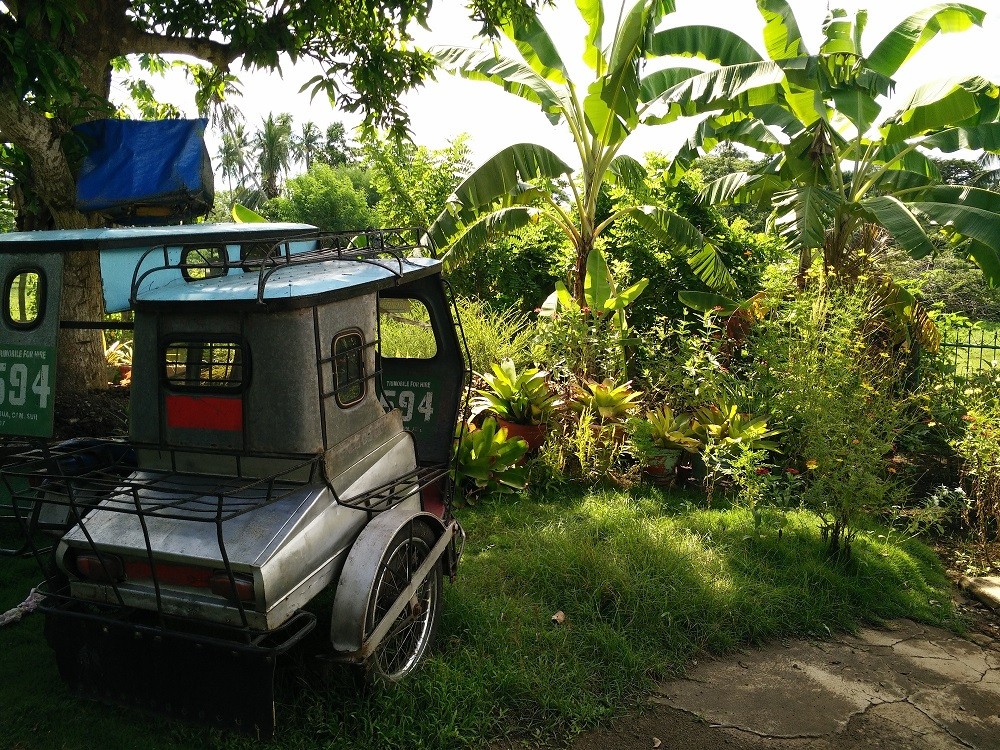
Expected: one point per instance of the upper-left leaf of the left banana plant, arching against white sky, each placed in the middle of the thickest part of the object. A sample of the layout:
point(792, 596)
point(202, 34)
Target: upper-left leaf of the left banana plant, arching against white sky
point(513, 76)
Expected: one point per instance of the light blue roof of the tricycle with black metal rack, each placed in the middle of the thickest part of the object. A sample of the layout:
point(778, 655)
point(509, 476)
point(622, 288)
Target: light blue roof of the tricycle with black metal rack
point(236, 264)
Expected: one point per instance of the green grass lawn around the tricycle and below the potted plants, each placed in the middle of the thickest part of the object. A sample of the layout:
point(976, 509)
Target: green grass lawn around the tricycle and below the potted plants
point(646, 581)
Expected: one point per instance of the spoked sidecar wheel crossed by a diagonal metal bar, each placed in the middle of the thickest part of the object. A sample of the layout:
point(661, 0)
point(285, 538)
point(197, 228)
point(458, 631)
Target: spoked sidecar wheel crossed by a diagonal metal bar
point(411, 634)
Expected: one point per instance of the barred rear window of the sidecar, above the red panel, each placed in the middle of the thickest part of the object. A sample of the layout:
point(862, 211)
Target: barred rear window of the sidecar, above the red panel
point(204, 365)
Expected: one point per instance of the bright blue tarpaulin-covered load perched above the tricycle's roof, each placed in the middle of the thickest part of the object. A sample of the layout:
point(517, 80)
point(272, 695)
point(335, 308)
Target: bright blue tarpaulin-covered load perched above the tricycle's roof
point(145, 172)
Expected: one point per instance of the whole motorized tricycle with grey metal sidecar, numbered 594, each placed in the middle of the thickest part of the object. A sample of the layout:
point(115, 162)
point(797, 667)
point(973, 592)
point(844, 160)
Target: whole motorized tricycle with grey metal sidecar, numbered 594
point(292, 411)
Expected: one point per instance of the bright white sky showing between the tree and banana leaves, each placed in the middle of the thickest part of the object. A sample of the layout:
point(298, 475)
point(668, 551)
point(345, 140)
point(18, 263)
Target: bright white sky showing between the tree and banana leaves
point(449, 106)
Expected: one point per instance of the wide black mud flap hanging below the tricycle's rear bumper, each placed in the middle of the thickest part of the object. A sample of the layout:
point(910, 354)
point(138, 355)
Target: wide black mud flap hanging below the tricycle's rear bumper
point(230, 686)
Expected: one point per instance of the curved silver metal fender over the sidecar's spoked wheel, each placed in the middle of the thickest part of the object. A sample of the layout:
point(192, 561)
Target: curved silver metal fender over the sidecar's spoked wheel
point(358, 575)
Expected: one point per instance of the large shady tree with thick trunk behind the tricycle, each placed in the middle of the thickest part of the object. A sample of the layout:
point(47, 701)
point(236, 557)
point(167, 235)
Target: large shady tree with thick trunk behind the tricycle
point(56, 64)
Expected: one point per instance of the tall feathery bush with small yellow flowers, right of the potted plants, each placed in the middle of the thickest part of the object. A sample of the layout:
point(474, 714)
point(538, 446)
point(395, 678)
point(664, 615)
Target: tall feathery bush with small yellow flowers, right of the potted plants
point(840, 398)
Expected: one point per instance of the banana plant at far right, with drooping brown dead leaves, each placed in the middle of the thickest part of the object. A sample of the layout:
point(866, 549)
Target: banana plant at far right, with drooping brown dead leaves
point(844, 163)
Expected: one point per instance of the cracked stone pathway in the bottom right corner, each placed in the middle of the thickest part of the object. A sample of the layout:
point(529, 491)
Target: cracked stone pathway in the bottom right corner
point(907, 686)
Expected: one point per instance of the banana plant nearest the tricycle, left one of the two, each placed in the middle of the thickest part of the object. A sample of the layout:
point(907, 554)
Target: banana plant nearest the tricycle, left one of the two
point(521, 183)
